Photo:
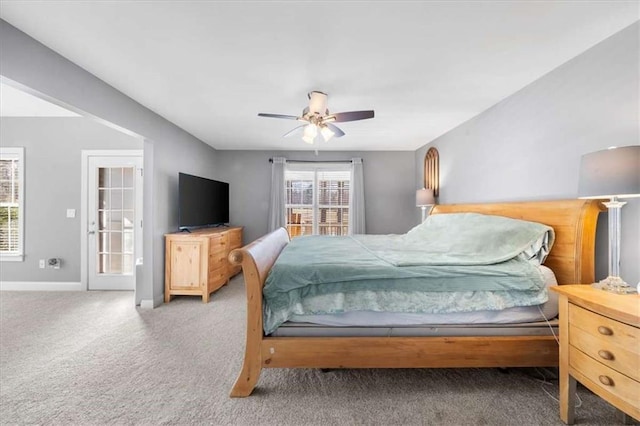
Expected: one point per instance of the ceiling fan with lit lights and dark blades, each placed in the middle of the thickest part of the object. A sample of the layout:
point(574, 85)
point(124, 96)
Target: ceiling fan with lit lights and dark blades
point(318, 119)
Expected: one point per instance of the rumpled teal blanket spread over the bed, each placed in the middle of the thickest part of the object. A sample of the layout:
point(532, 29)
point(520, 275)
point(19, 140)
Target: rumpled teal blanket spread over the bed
point(447, 253)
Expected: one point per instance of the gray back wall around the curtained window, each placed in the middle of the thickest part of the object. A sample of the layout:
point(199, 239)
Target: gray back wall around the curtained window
point(388, 182)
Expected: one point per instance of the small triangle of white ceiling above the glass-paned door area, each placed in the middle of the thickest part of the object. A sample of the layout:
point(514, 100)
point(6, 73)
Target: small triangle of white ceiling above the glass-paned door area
point(16, 103)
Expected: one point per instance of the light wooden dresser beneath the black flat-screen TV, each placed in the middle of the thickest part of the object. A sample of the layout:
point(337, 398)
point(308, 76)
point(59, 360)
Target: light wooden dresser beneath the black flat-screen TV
point(196, 262)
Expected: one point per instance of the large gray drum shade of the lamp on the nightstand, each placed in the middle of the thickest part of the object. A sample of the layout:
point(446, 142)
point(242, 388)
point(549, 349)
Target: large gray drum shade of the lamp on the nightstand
point(610, 173)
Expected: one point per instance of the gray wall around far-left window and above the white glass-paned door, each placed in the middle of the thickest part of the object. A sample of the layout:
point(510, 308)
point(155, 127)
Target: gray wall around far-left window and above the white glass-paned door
point(52, 184)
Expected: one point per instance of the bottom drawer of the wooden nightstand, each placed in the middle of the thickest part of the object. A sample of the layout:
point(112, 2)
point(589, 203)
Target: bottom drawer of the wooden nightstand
point(603, 378)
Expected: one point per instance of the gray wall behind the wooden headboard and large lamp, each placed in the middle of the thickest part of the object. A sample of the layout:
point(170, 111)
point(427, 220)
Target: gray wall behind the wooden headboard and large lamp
point(528, 147)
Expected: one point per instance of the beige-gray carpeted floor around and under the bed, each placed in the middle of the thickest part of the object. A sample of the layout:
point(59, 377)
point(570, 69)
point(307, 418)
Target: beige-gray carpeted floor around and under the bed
point(91, 358)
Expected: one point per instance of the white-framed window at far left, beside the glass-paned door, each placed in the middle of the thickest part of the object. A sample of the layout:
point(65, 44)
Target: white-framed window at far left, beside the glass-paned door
point(11, 203)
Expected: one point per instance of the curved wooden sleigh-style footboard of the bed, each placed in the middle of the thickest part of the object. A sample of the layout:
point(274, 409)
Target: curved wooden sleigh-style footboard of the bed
point(256, 260)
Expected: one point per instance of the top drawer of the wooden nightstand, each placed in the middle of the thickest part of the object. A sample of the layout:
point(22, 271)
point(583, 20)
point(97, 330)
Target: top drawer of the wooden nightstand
point(611, 331)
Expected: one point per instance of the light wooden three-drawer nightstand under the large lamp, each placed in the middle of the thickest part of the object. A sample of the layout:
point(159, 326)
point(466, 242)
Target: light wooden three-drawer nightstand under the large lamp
point(599, 347)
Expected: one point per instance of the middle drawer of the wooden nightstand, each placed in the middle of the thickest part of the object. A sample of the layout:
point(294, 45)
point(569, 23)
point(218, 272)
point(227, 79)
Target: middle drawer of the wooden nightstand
point(602, 350)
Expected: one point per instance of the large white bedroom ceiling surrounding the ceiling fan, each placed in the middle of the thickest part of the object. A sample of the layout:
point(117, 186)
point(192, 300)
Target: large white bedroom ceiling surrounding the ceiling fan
point(424, 67)
